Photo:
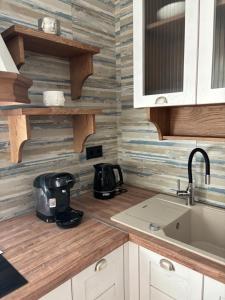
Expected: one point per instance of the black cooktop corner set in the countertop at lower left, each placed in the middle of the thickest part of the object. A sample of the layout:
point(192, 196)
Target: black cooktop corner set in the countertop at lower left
point(10, 278)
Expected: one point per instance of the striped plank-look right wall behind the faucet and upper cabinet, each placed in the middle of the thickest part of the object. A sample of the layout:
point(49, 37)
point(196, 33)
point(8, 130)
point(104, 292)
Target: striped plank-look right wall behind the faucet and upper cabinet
point(146, 161)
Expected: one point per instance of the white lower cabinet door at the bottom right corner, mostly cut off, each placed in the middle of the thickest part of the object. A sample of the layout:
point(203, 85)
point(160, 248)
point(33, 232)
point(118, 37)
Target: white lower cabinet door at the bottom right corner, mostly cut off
point(213, 290)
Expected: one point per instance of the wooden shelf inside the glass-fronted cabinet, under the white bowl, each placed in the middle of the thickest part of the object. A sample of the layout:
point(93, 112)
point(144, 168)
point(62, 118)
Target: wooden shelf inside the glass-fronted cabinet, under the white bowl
point(167, 23)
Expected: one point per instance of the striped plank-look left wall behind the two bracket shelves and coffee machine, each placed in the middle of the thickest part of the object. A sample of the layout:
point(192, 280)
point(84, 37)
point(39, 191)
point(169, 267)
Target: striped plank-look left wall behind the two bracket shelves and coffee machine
point(51, 146)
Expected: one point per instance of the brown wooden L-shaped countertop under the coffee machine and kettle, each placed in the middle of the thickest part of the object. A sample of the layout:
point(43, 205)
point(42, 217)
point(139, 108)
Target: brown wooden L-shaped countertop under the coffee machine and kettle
point(48, 256)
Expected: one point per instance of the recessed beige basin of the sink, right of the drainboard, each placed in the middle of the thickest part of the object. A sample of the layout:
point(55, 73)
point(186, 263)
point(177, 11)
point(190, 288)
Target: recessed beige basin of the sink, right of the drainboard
point(201, 227)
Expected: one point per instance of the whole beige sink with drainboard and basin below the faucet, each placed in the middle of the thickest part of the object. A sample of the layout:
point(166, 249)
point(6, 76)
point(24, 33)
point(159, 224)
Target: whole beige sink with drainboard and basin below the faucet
point(199, 228)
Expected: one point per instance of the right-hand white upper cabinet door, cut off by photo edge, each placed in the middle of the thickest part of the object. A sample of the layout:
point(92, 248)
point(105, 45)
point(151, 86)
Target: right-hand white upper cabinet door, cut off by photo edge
point(211, 73)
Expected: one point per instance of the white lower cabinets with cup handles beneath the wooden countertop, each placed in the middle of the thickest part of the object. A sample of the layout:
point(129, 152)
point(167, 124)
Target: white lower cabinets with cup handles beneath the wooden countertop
point(135, 273)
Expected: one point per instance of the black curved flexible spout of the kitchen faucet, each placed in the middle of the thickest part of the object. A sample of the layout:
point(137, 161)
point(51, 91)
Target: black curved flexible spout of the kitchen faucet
point(207, 165)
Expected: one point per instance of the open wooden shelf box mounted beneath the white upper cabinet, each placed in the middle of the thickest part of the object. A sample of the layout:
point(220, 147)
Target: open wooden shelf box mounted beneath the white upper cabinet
point(197, 122)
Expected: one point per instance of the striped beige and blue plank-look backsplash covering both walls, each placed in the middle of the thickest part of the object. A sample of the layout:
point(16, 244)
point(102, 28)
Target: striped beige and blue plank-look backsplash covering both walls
point(124, 132)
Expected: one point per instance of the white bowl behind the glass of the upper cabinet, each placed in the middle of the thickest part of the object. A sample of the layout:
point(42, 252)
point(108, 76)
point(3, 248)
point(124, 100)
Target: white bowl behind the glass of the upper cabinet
point(171, 10)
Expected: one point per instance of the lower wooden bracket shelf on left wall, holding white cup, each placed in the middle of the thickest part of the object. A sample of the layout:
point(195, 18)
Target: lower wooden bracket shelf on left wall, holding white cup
point(19, 126)
